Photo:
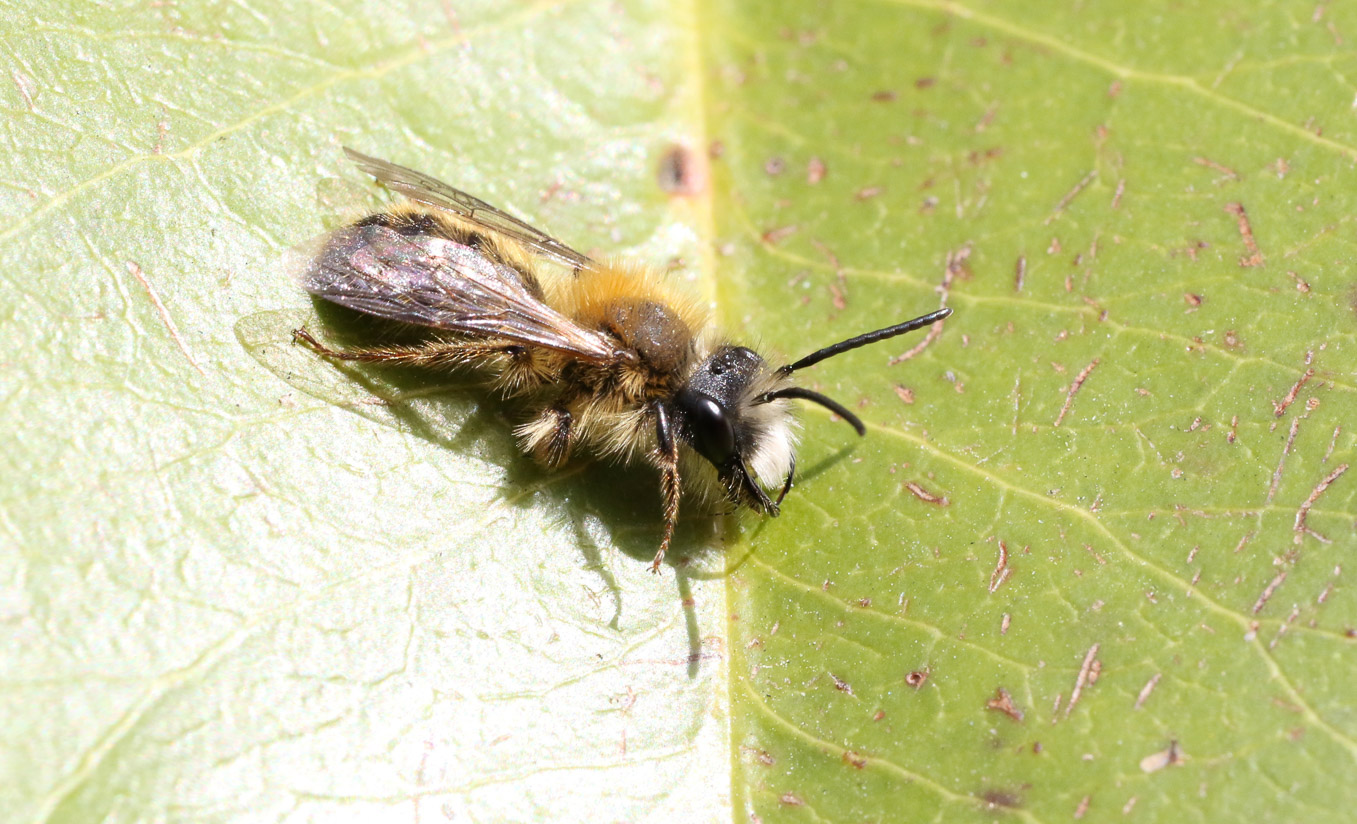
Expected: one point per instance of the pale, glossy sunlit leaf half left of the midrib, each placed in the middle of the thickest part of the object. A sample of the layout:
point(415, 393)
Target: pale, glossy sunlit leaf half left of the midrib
point(241, 584)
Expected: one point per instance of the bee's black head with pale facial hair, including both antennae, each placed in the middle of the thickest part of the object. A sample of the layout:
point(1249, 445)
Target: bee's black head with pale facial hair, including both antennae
point(735, 413)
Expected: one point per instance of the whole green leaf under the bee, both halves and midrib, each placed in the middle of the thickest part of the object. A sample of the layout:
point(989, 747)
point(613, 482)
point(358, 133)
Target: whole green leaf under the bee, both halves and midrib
point(240, 583)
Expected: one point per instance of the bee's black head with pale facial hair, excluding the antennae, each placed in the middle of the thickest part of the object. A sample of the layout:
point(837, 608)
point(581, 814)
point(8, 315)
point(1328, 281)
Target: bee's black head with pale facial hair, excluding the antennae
point(721, 417)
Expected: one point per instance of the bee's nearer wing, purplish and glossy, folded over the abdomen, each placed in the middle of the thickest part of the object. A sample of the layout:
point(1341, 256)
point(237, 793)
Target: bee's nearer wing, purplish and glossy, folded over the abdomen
point(432, 282)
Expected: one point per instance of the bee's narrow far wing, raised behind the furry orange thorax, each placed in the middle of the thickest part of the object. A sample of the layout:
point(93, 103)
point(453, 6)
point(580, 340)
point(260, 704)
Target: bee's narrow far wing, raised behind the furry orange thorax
point(420, 187)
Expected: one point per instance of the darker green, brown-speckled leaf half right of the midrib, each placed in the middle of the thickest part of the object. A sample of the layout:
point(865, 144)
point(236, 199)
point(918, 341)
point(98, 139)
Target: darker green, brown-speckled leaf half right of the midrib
point(1116, 488)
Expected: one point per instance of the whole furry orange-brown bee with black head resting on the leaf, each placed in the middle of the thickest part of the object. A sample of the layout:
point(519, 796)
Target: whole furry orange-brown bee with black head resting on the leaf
point(606, 356)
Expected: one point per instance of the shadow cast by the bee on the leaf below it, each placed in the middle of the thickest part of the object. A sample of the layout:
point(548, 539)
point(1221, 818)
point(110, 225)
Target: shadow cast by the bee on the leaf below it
point(603, 504)
